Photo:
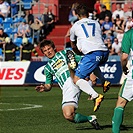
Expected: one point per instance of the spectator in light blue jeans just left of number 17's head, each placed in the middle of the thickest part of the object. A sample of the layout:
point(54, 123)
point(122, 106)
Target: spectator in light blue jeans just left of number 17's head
point(72, 18)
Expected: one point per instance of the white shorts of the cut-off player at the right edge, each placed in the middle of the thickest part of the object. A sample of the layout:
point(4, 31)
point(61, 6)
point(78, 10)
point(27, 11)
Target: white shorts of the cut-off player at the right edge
point(126, 90)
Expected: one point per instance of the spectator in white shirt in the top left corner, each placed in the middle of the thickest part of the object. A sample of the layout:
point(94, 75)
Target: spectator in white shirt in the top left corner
point(4, 9)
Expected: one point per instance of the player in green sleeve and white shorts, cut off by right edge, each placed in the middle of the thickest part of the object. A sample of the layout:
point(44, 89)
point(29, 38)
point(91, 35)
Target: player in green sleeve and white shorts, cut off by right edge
point(126, 91)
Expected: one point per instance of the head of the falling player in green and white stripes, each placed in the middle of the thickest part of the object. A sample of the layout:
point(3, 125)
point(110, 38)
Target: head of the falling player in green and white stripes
point(48, 48)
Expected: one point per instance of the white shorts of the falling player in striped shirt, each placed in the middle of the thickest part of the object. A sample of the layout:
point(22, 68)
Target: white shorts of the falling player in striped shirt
point(71, 94)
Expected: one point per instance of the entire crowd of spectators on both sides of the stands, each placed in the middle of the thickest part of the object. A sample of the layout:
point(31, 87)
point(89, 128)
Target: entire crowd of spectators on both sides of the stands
point(35, 28)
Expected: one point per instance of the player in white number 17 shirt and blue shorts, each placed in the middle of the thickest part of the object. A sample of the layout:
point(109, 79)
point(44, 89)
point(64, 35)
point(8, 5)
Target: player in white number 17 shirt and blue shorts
point(85, 35)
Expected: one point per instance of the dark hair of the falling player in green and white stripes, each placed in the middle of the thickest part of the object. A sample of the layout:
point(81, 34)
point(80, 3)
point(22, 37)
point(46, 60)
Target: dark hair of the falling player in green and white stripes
point(46, 42)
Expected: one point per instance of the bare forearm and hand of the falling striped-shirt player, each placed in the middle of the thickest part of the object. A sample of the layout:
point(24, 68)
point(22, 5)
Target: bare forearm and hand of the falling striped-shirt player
point(43, 87)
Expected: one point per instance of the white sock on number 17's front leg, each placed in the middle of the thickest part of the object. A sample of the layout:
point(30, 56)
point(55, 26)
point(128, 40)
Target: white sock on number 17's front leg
point(85, 87)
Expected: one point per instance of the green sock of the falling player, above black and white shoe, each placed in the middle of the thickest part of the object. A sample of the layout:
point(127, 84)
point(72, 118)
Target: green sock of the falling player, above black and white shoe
point(79, 118)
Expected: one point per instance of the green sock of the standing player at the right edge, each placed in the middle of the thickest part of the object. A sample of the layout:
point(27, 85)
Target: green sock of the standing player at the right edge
point(117, 119)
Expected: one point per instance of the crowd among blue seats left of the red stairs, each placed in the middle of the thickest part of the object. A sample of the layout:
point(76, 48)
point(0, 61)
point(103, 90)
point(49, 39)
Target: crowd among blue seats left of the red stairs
point(22, 30)
